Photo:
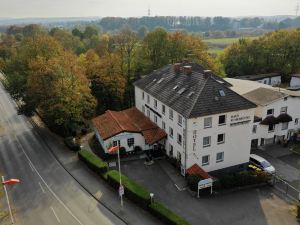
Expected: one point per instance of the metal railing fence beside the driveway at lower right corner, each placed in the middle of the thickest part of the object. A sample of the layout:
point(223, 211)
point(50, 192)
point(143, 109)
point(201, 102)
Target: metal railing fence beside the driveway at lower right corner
point(282, 185)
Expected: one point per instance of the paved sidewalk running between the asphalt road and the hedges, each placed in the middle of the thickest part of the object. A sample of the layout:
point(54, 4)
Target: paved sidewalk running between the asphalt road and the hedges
point(131, 213)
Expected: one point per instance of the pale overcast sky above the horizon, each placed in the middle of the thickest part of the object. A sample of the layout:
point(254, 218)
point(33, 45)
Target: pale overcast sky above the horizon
point(126, 8)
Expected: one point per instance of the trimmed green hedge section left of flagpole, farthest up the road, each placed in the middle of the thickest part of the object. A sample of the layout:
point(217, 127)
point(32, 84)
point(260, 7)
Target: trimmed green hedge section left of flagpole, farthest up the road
point(93, 162)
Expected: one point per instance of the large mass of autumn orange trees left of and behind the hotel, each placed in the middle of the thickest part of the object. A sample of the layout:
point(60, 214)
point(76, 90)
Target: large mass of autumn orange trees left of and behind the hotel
point(70, 76)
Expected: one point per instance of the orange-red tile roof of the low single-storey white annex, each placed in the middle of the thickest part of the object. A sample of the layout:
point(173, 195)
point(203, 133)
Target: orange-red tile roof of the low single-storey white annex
point(131, 120)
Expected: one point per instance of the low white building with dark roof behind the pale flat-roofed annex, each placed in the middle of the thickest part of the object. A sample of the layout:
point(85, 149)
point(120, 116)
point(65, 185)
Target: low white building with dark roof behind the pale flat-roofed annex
point(273, 79)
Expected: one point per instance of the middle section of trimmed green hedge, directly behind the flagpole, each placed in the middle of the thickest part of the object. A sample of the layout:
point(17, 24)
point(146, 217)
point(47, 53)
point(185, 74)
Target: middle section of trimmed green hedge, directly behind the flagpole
point(133, 191)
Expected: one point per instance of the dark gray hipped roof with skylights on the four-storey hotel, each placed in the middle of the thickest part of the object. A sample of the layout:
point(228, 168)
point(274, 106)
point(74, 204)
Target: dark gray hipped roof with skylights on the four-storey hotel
point(206, 98)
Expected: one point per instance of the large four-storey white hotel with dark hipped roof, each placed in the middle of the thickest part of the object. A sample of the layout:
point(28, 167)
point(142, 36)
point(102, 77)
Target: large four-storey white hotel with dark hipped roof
point(207, 123)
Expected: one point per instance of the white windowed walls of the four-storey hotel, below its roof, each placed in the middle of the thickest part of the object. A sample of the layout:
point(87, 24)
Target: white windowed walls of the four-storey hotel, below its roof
point(189, 140)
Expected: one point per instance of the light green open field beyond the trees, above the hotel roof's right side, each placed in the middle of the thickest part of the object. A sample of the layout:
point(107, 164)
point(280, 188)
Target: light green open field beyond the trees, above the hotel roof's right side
point(217, 45)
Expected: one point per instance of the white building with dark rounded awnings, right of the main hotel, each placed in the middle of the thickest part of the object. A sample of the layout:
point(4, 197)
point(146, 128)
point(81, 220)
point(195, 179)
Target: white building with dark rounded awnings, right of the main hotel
point(277, 113)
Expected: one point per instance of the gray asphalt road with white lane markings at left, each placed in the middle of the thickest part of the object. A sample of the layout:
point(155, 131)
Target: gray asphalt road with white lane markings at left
point(47, 194)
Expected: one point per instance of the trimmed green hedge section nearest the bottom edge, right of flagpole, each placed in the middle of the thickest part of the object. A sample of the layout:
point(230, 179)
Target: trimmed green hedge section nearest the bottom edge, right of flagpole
point(167, 216)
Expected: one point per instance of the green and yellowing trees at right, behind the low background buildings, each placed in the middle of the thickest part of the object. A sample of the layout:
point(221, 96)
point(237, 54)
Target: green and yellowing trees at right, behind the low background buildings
point(278, 51)
